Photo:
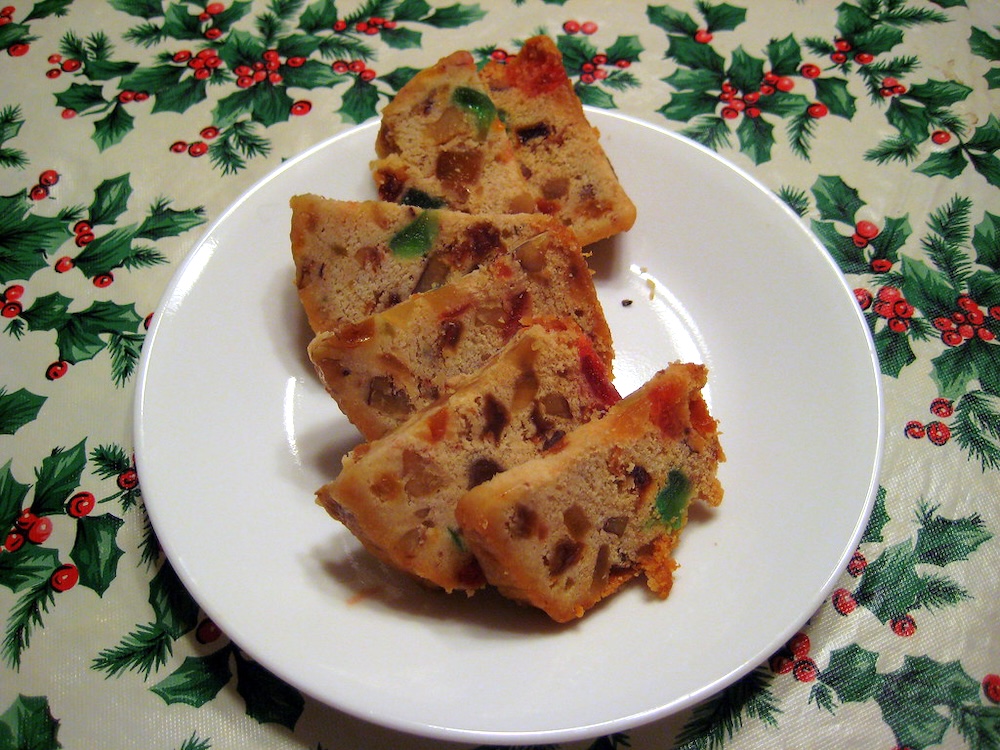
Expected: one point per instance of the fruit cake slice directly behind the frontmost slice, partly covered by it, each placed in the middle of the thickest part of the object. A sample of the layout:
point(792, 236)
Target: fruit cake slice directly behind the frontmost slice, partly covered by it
point(398, 494)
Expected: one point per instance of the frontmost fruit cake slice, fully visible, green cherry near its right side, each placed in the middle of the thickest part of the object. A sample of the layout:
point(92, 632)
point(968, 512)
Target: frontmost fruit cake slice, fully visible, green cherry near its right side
point(568, 528)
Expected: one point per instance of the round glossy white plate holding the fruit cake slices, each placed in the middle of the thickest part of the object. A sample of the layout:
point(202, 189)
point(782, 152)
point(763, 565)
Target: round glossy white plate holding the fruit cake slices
point(234, 433)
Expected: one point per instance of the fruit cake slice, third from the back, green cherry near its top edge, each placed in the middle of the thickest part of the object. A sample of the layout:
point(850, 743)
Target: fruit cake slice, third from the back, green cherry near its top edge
point(353, 259)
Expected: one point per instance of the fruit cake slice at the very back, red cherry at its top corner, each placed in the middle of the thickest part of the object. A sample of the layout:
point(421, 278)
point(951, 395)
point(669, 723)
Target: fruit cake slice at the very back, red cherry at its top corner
point(558, 148)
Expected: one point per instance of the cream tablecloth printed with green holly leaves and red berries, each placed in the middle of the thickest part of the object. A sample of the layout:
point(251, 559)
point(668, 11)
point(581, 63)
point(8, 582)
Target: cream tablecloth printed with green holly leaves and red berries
point(127, 126)
